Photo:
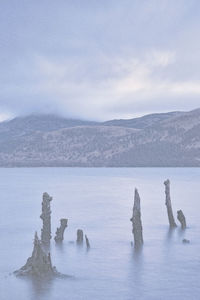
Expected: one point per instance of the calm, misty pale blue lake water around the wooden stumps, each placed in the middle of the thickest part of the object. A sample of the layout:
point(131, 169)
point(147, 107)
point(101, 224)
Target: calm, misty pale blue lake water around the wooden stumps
point(100, 202)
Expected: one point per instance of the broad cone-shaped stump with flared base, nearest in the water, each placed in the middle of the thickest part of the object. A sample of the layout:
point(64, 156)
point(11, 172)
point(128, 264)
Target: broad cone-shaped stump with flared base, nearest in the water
point(39, 264)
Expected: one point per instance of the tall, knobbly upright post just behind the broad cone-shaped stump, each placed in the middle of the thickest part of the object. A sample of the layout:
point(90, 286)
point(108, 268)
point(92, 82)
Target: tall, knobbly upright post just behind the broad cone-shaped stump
point(46, 218)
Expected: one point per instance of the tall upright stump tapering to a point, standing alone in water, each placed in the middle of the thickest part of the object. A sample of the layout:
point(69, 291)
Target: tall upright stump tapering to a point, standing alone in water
point(136, 221)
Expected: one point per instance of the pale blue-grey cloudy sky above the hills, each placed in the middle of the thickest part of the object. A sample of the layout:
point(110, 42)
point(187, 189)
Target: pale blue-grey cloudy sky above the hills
point(99, 60)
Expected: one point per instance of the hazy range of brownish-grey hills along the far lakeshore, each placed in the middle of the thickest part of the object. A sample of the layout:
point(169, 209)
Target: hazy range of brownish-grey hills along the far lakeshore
point(156, 140)
